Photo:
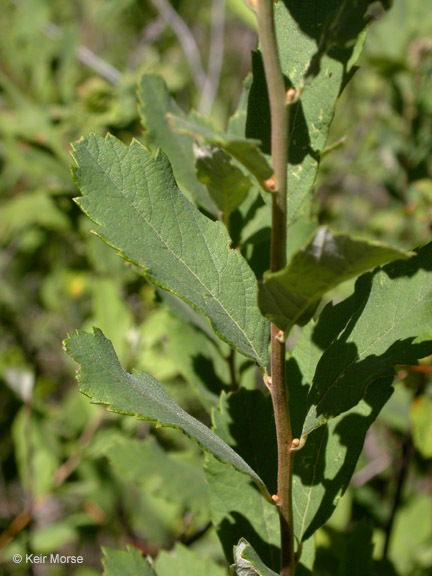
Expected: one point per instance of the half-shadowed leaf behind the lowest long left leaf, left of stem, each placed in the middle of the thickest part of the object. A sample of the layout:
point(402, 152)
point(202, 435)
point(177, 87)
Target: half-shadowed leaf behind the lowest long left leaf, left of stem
point(245, 420)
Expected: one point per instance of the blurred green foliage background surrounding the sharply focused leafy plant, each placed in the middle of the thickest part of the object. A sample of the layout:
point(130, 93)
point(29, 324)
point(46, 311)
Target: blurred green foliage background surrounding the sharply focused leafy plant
point(73, 477)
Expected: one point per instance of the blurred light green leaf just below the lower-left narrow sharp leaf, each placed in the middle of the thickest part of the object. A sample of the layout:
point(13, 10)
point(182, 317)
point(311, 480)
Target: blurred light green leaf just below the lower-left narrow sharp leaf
point(176, 478)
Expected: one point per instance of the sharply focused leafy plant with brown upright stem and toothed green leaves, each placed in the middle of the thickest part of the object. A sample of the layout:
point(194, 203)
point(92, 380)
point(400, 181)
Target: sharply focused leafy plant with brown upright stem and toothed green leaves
point(222, 224)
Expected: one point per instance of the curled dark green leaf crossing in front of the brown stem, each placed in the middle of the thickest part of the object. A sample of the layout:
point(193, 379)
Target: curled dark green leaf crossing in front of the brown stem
point(287, 297)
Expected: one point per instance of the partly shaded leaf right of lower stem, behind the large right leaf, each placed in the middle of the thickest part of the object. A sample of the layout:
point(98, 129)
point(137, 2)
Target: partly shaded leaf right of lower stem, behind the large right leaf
point(324, 466)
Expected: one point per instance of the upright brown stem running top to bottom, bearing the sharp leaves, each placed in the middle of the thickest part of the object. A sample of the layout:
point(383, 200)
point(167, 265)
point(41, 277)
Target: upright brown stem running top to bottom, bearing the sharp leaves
point(279, 143)
